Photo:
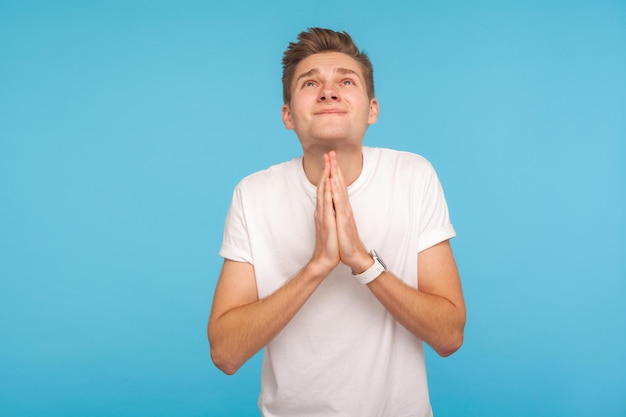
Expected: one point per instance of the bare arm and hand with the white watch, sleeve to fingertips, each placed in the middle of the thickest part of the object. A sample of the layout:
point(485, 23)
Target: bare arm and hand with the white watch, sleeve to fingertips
point(436, 311)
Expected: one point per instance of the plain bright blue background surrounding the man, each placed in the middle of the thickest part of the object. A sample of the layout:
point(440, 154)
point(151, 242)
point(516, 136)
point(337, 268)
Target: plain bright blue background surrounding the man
point(125, 125)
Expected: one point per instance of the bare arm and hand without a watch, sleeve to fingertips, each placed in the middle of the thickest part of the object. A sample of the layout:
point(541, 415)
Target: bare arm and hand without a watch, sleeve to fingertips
point(241, 324)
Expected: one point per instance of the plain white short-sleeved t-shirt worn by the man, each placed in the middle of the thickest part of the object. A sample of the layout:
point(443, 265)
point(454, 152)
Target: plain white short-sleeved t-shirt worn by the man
point(342, 354)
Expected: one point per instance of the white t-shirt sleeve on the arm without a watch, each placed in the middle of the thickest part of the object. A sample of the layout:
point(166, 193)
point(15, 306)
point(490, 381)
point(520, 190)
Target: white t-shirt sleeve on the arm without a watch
point(236, 242)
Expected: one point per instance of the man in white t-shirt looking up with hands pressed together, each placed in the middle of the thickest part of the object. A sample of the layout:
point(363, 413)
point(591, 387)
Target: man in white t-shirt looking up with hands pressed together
point(303, 275)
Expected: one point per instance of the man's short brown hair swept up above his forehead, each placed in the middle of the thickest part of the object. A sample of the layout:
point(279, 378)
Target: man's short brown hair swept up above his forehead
point(316, 40)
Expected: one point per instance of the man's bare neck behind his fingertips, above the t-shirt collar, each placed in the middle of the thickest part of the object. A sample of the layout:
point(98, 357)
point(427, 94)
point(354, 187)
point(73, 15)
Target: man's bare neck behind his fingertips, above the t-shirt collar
point(350, 162)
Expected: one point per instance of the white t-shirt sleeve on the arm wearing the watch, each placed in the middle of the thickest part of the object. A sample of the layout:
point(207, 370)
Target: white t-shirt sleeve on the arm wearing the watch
point(434, 226)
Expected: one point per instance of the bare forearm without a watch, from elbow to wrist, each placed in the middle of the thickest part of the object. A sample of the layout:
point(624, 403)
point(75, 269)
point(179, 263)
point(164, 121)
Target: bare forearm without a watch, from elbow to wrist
point(237, 334)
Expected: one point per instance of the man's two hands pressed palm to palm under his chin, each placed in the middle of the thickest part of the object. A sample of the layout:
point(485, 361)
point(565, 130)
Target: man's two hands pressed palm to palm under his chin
point(337, 237)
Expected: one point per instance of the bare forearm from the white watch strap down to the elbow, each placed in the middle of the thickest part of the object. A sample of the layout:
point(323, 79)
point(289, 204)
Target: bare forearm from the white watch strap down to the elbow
point(432, 318)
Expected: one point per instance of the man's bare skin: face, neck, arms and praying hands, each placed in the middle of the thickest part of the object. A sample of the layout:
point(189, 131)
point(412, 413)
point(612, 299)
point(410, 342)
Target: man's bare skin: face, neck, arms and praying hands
point(330, 112)
